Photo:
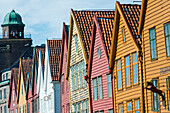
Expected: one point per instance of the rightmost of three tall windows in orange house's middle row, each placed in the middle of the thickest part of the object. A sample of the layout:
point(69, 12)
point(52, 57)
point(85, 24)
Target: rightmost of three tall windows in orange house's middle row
point(135, 68)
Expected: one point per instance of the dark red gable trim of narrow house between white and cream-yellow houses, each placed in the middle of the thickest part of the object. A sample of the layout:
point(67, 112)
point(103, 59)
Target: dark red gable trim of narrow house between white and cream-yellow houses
point(64, 41)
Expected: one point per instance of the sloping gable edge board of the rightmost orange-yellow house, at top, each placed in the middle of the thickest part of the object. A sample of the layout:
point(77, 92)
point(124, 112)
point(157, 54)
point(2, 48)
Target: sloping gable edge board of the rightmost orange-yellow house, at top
point(142, 16)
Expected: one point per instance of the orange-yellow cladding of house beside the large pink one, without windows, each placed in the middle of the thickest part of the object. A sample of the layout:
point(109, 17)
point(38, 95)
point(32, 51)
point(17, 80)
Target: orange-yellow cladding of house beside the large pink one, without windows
point(124, 49)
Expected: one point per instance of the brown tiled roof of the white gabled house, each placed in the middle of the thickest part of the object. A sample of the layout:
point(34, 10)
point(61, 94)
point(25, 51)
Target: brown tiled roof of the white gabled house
point(54, 46)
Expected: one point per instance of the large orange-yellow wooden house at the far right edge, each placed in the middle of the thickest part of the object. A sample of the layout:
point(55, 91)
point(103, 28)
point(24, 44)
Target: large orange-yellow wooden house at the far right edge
point(154, 28)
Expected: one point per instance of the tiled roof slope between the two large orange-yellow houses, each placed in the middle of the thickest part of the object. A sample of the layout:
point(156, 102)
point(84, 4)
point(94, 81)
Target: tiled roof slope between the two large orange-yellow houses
point(132, 14)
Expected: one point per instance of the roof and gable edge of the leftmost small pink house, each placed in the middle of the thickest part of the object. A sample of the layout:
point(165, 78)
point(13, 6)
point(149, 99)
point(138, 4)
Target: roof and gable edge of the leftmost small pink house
point(14, 73)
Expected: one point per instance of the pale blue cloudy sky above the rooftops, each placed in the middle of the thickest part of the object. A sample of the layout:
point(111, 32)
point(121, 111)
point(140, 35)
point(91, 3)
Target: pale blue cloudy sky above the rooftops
point(44, 18)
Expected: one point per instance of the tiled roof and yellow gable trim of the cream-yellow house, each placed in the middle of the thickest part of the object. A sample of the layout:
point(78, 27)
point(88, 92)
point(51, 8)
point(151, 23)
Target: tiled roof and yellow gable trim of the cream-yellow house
point(83, 20)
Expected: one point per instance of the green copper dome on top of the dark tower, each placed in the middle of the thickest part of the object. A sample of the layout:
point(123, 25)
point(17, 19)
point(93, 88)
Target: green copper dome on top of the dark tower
point(12, 18)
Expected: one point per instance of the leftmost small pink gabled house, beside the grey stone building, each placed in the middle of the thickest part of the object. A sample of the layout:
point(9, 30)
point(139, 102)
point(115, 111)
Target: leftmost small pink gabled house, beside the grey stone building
point(12, 102)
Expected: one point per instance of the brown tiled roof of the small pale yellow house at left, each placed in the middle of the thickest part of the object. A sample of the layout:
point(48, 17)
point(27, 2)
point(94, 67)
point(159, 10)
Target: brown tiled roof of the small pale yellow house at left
point(26, 69)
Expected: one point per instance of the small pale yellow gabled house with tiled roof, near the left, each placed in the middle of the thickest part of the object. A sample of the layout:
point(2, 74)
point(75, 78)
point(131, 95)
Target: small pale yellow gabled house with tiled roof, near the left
point(25, 69)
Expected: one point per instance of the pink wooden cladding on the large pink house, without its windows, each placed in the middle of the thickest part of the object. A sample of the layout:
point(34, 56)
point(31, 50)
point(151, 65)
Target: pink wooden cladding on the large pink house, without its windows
point(100, 68)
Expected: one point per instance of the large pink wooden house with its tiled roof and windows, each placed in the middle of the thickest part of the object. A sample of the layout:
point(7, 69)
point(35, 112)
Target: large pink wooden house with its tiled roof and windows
point(100, 83)
